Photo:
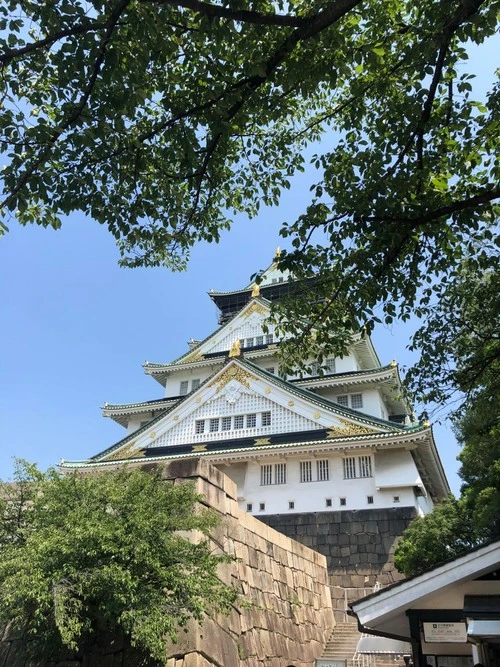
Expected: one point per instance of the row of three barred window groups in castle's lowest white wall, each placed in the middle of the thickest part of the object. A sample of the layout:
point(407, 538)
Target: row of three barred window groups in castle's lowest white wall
point(354, 467)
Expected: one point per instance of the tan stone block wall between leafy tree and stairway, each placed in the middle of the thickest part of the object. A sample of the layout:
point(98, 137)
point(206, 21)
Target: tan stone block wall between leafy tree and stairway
point(286, 618)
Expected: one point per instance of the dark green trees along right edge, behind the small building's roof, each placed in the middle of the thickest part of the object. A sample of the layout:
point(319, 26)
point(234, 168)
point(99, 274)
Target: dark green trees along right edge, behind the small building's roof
point(471, 364)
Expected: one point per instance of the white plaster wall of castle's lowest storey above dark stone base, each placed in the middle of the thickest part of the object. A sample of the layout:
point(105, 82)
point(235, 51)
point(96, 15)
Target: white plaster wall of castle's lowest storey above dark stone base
point(311, 496)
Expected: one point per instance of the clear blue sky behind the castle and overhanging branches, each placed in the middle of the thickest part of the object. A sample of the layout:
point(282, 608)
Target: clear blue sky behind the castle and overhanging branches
point(75, 328)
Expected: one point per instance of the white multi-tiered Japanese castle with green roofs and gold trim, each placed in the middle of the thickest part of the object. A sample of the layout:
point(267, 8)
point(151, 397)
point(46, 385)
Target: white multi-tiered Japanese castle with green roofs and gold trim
point(341, 439)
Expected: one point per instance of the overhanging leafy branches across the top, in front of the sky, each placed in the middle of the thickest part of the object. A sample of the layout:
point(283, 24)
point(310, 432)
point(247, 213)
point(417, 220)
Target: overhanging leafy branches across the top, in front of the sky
point(163, 118)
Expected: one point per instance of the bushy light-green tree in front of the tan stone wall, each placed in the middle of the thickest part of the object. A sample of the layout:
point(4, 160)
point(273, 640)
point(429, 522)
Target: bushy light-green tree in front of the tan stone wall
point(82, 553)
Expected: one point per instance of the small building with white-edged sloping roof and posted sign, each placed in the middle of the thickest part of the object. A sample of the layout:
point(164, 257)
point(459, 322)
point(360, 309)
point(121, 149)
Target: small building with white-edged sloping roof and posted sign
point(450, 613)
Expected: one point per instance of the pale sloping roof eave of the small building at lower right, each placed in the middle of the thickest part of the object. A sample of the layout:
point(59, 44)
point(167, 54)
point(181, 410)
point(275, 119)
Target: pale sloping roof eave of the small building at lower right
point(378, 610)
